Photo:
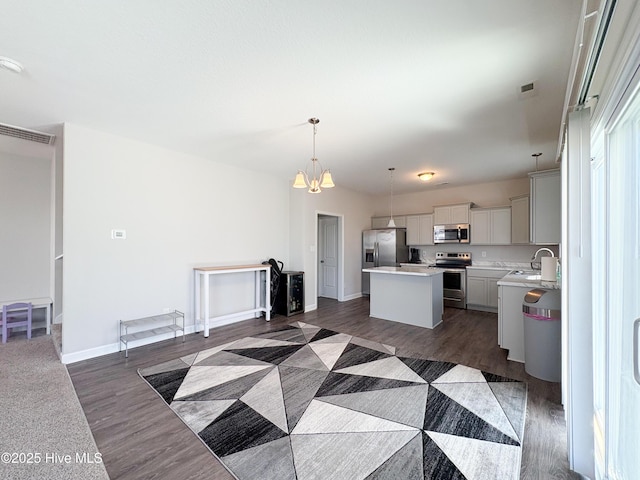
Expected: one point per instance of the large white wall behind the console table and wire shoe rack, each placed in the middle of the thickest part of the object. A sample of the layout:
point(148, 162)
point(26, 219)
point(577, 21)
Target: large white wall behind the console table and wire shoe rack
point(179, 212)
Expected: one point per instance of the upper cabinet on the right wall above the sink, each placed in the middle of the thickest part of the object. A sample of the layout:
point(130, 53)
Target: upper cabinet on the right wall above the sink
point(545, 207)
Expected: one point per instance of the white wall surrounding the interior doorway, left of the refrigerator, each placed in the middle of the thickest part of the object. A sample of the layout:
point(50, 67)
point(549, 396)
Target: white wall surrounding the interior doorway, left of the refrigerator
point(356, 211)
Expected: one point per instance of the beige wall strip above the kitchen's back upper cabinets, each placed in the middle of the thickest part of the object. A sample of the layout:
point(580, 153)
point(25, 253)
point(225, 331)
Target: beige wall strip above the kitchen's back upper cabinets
point(492, 194)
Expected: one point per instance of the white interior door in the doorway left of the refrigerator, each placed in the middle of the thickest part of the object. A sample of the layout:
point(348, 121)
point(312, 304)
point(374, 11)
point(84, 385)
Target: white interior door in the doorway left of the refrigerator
point(328, 257)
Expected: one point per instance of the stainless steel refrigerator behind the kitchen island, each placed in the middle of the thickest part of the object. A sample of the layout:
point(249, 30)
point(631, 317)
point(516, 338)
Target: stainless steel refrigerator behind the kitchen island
point(383, 247)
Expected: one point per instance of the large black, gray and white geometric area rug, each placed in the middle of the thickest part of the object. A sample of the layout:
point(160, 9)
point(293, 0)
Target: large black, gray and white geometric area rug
point(304, 402)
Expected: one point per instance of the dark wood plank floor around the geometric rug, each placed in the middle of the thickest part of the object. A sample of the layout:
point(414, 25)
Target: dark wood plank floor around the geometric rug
point(141, 438)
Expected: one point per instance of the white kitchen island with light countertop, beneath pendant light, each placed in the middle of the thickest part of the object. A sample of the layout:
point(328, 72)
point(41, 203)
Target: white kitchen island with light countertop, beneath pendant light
point(408, 294)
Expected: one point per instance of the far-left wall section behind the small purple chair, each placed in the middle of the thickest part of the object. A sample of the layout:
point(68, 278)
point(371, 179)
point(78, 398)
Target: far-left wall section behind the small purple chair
point(25, 226)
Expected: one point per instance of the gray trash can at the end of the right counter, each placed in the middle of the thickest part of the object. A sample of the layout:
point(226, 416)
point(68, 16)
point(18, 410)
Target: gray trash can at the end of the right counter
point(542, 334)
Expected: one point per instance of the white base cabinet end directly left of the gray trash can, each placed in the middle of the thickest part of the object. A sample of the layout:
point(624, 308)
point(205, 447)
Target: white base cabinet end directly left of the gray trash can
point(511, 321)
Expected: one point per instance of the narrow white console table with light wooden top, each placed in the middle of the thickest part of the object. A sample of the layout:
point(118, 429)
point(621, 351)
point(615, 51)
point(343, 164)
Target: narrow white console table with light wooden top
point(202, 275)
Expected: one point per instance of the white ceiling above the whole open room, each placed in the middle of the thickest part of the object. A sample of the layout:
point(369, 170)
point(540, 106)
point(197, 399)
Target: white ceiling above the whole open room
point(416, 85)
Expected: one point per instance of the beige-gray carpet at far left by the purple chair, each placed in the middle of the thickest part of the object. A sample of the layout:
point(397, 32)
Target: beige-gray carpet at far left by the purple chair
point(43, 431)
